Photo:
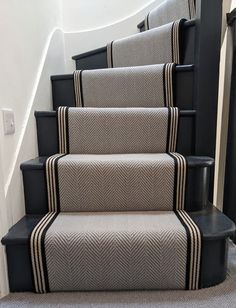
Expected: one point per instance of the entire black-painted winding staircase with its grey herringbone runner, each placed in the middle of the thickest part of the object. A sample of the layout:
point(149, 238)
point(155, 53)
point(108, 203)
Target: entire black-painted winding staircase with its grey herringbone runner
point(119, 197)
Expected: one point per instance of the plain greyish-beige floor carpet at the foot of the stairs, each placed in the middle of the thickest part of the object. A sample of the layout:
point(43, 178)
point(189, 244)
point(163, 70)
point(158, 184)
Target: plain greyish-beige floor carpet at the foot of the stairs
point(221, 296)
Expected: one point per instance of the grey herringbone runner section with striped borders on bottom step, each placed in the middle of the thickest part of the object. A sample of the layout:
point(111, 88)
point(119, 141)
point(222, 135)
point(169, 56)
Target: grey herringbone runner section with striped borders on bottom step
point(116, 251)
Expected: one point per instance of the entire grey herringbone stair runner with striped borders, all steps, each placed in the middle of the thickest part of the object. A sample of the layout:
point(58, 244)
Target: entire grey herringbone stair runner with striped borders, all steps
point(116, 190)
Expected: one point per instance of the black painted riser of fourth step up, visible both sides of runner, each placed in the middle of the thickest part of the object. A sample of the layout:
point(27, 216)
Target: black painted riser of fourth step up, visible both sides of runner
point(63, 89)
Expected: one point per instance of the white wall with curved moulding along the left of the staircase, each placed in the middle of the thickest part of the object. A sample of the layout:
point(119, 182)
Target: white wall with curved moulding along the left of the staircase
point(32, 49)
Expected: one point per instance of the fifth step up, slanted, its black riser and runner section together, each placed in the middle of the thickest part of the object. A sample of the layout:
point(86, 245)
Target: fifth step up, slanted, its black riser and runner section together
point(173, 42)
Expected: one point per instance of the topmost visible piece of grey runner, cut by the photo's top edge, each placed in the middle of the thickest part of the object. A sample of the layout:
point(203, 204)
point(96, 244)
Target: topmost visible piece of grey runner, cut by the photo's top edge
point(168, 11)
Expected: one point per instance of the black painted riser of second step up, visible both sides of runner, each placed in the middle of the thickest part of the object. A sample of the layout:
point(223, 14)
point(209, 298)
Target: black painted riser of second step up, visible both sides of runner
point(35, 188)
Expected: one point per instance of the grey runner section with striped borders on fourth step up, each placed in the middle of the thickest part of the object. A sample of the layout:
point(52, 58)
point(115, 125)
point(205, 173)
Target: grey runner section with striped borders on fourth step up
point(141, 86)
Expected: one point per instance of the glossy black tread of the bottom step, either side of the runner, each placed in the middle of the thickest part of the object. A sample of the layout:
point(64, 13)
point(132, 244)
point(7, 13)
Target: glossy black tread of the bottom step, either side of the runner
point(213, 224)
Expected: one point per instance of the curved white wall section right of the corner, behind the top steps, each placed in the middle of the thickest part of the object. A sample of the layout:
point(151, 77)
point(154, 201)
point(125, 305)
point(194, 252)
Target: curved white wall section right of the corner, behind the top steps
point(95, 23)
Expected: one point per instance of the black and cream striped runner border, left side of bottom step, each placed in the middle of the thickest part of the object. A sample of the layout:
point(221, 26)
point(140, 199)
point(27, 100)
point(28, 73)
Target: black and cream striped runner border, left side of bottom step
point(37, 251)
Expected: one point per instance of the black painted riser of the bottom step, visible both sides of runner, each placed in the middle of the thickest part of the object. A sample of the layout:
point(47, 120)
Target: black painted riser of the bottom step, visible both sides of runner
point(213, 270)
